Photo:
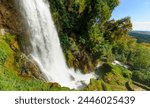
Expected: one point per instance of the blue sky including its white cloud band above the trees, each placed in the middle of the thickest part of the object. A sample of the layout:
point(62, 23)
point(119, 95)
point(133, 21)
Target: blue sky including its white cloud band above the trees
point(138, 10)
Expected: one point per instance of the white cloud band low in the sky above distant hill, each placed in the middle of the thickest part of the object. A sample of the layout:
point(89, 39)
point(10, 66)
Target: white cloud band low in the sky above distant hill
point(141, 26)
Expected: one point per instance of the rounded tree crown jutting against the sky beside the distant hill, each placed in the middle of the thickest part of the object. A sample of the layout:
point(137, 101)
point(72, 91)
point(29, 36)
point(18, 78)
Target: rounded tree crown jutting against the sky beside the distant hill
point(117, 29)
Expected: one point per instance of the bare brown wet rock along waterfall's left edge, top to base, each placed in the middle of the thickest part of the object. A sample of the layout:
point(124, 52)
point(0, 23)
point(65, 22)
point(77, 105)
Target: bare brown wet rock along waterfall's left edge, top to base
point(12, 22)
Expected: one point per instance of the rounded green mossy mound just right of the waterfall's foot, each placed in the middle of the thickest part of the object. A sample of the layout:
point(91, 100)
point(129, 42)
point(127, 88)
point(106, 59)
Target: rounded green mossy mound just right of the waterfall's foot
point(113, 77)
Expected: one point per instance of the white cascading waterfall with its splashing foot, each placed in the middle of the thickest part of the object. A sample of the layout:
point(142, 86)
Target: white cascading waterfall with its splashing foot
point(45, 44)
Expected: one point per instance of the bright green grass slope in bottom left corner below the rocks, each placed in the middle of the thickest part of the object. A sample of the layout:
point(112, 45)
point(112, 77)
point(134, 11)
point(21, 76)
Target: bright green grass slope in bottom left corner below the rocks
point(10, 81)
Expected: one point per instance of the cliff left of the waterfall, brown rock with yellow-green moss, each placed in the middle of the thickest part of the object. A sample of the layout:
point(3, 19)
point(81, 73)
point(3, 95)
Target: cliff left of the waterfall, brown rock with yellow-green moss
point(13, 38)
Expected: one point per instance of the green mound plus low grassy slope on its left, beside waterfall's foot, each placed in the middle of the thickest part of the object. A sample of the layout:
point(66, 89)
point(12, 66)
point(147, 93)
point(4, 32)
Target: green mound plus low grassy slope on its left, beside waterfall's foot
point(111, 78)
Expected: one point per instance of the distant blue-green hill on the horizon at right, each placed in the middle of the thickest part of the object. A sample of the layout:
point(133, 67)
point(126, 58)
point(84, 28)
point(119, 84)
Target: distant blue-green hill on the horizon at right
point(142, 36)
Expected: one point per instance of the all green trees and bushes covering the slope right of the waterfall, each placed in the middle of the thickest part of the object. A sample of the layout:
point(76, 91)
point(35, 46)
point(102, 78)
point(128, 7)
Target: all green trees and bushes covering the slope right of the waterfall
point(89, 38)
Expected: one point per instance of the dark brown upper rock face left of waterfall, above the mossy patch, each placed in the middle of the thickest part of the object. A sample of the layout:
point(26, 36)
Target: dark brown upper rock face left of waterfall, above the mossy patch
point(11, 21)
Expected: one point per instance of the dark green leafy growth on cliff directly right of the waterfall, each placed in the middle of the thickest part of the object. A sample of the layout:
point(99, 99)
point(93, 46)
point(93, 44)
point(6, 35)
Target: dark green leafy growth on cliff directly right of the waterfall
point(81, 26)
